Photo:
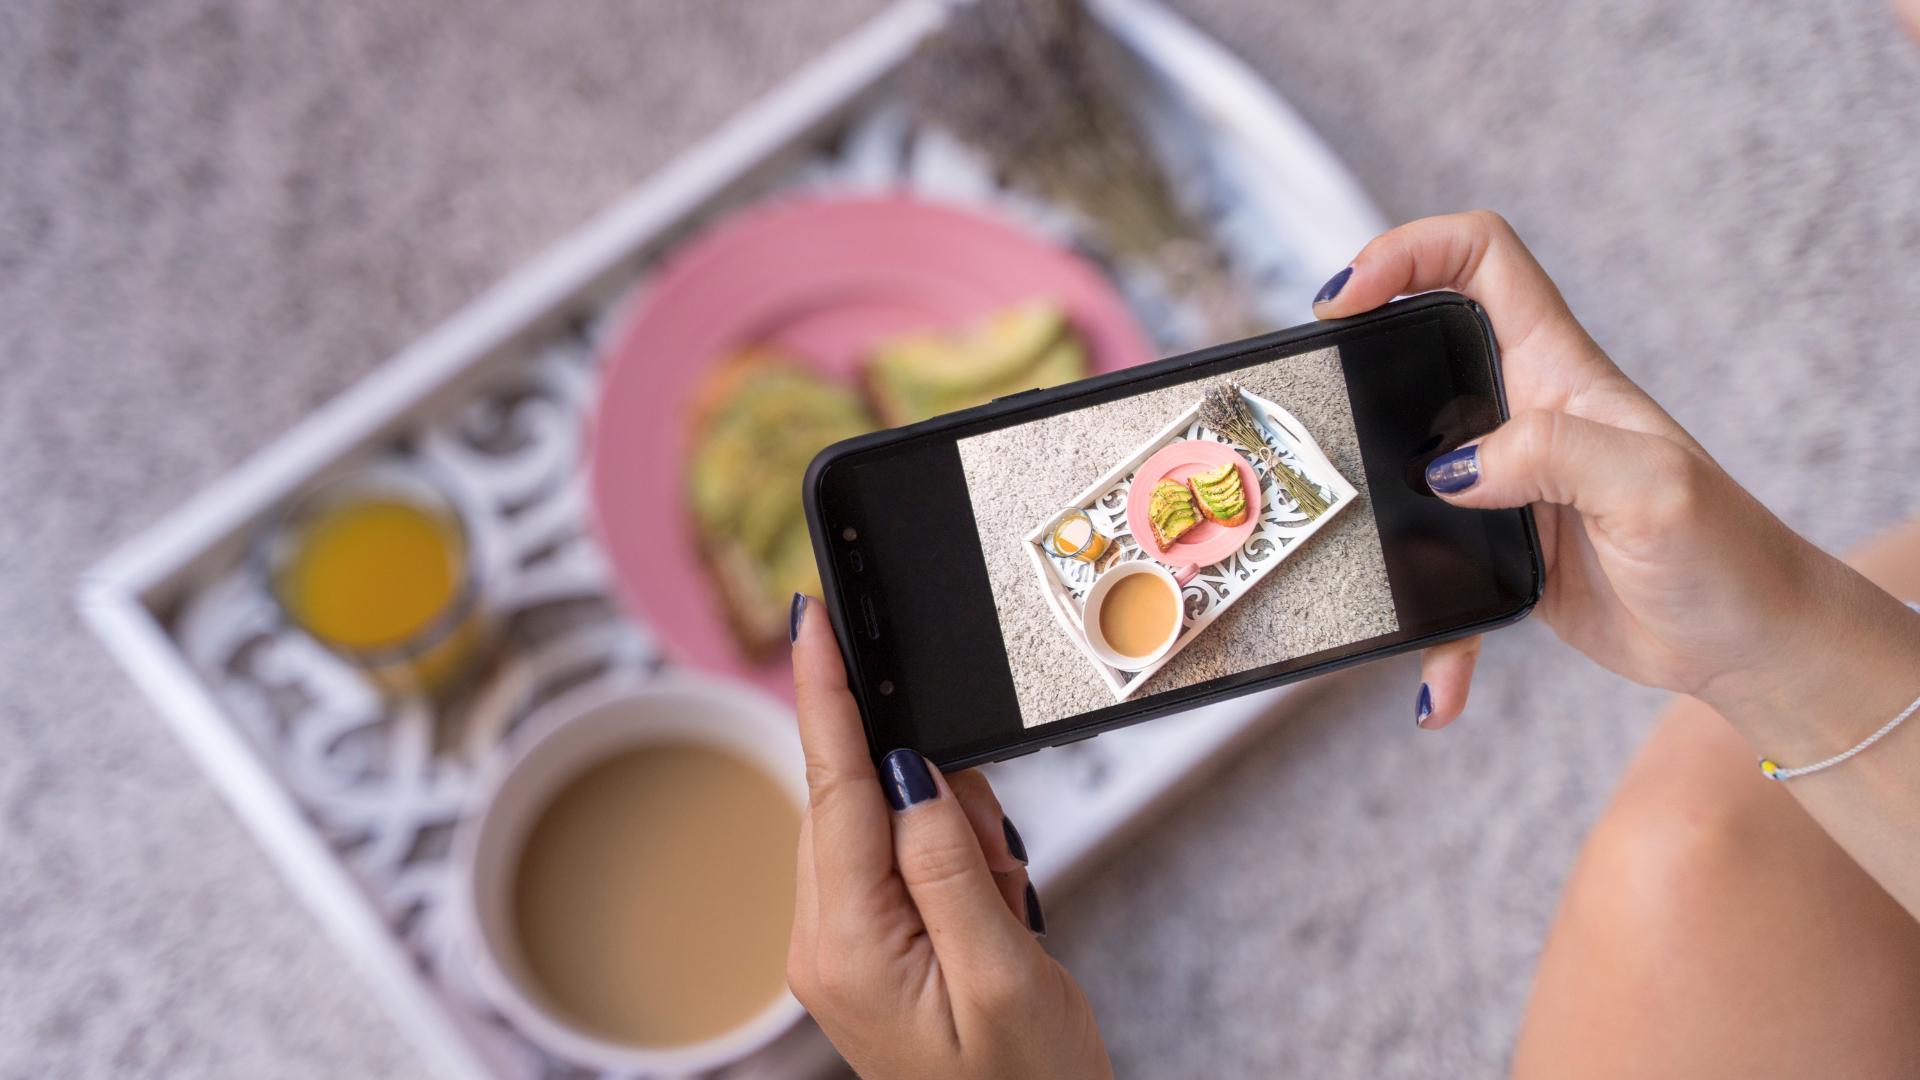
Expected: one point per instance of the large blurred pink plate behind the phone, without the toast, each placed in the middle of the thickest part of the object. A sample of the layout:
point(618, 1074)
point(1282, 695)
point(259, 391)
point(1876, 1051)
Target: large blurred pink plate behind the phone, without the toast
point(821, 280)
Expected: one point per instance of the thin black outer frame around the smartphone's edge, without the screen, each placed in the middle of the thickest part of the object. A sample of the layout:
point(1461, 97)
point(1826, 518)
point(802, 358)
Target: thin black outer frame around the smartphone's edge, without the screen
point(1297, 339)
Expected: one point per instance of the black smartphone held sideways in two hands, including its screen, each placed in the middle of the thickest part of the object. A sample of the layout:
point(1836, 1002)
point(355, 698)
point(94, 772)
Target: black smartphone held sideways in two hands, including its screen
point(965, 601)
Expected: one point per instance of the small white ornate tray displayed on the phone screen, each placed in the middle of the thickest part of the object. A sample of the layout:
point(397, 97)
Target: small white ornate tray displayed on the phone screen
point(1282, 531)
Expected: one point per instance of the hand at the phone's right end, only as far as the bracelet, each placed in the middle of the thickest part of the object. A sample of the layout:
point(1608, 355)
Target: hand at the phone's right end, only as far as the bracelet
point(1660, 566)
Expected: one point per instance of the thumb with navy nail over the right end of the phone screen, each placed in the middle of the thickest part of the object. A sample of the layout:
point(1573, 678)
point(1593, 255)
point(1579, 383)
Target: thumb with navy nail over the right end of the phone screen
point(1558, 458)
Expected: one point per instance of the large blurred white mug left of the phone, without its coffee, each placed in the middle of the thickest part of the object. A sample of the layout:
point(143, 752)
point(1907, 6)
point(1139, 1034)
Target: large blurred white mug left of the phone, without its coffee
point(567, 737)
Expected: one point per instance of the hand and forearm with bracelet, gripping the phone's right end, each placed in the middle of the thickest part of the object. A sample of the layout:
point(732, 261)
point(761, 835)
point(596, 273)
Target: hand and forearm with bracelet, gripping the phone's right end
point(1660, 566)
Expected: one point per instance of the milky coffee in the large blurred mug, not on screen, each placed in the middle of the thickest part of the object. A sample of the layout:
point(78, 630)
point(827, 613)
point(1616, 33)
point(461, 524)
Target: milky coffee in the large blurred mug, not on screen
point(656, 895)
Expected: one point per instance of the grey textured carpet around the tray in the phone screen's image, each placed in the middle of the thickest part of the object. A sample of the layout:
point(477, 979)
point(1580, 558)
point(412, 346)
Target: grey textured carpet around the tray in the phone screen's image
point(1328, 595)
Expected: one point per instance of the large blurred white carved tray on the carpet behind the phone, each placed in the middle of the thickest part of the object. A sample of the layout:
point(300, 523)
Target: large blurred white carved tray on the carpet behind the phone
point(519, 358)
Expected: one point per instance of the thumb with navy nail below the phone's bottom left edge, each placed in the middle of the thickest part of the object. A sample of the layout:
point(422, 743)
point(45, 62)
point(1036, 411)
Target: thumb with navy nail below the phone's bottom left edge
point(972, 931)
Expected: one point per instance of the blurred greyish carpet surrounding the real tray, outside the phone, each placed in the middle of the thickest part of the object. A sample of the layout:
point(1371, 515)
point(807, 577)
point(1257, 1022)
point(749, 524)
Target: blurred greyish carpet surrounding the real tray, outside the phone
point(218, 214)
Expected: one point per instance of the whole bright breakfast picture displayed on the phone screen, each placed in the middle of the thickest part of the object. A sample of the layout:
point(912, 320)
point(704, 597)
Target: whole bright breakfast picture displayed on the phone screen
point(1255, 572)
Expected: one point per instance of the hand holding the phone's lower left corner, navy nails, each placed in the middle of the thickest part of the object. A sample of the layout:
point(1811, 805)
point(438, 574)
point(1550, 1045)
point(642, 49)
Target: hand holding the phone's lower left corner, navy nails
point(915, 929)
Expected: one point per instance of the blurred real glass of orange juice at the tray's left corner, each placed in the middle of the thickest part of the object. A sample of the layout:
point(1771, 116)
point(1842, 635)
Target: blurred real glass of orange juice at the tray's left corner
point(377, 568)
